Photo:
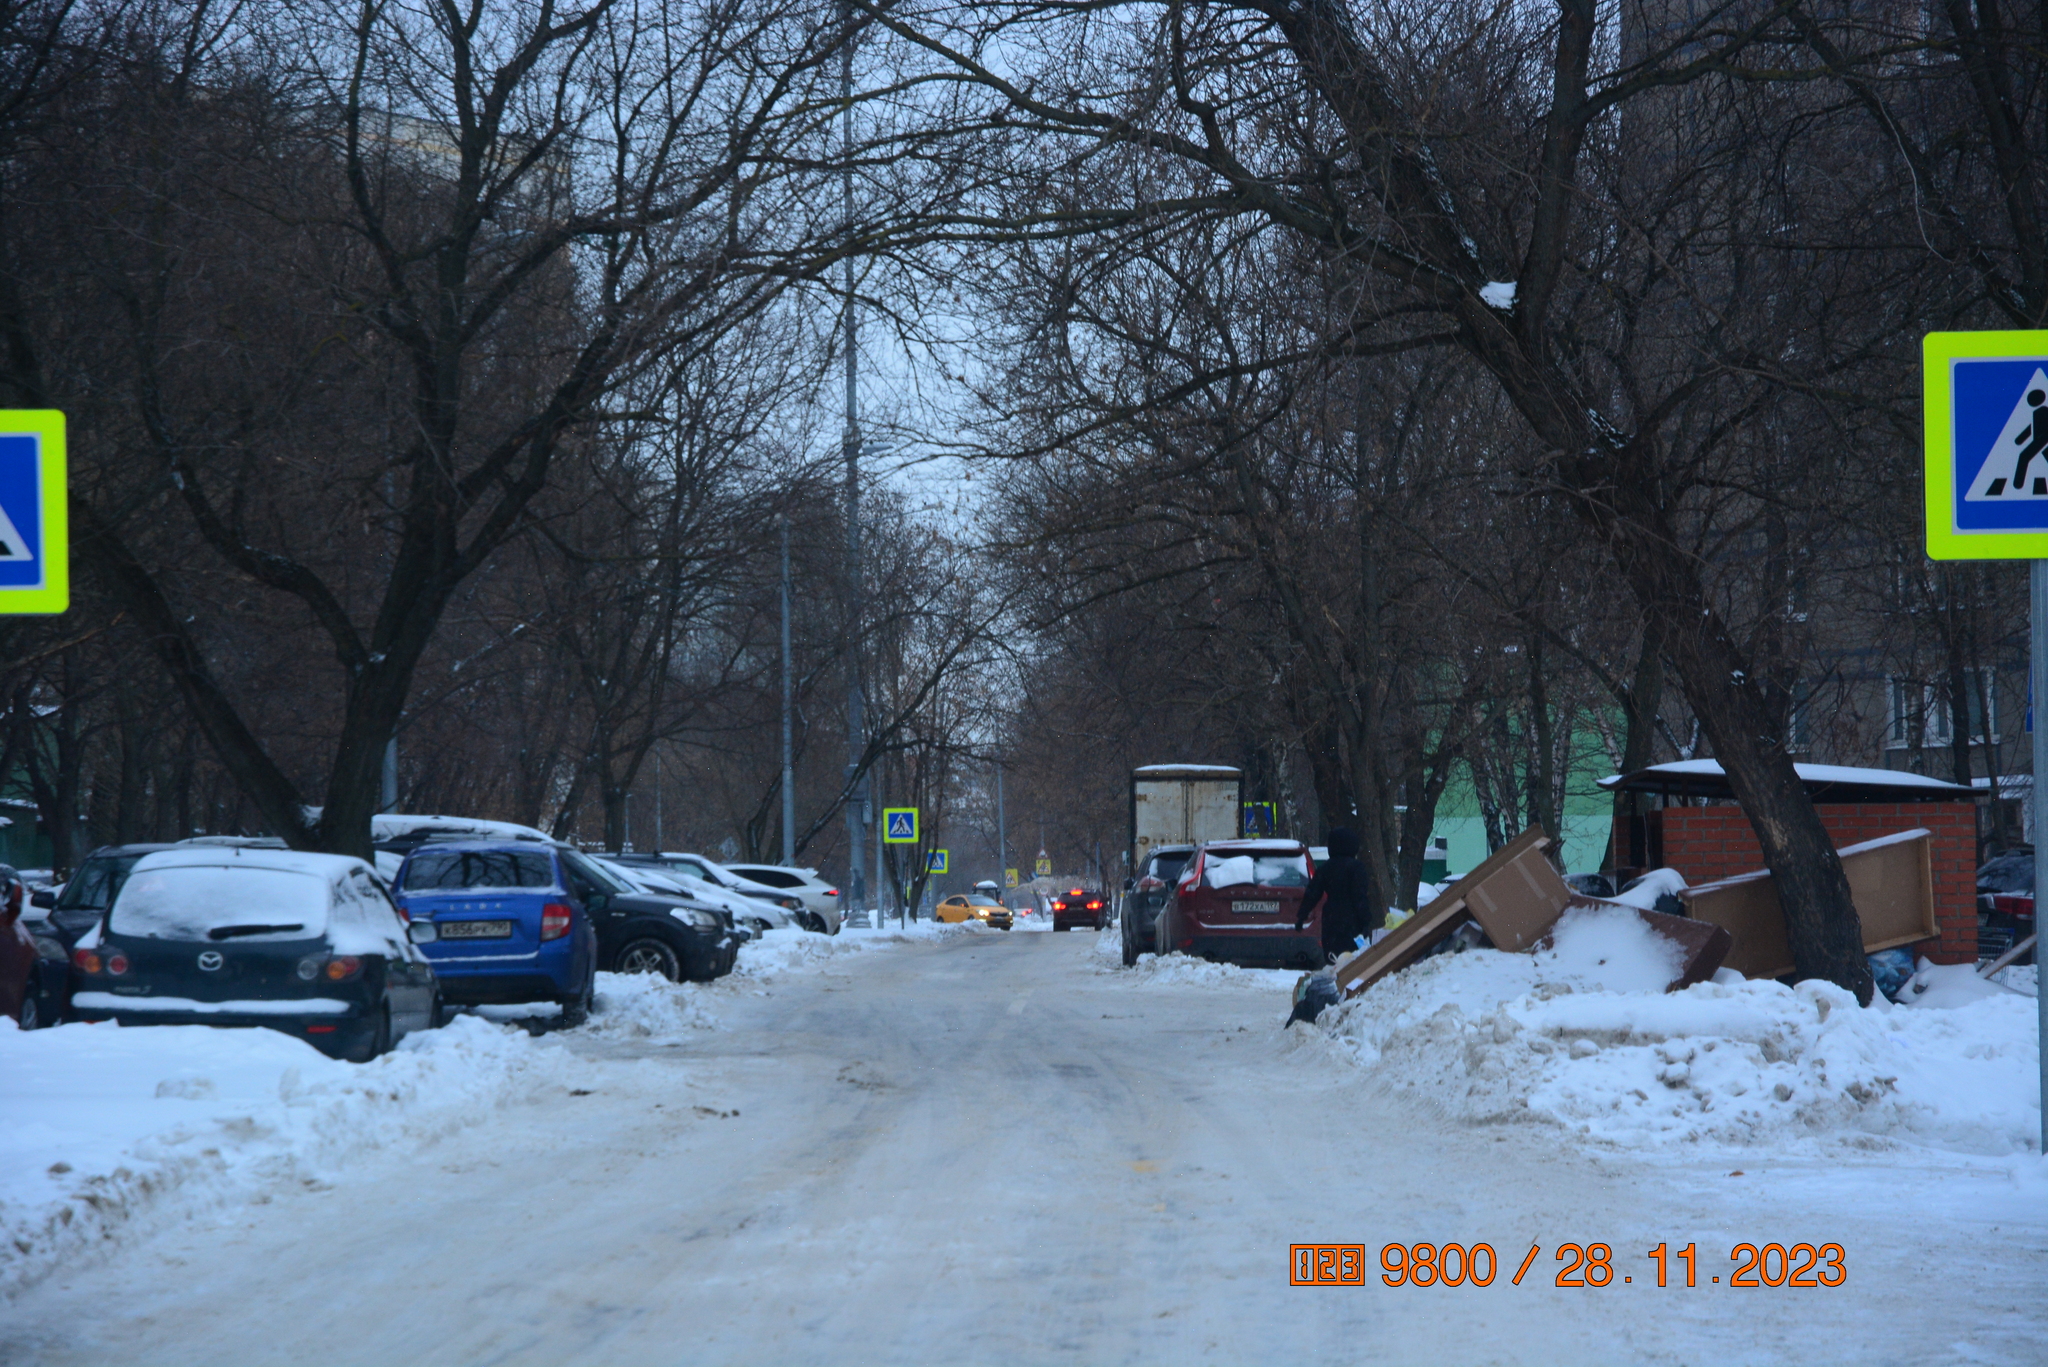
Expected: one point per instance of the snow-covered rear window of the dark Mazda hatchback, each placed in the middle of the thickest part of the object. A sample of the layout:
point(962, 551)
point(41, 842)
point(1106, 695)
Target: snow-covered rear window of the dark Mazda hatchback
point(198, 903)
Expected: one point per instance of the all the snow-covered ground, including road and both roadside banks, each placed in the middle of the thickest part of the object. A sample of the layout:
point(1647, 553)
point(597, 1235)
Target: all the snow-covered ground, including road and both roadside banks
point(966, 1145)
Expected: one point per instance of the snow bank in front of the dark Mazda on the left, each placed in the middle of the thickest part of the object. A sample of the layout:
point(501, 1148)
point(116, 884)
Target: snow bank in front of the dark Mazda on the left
point(105, 1124)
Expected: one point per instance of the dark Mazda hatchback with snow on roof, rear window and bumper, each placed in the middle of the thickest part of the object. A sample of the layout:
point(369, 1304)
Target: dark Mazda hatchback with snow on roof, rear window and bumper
point(300, 944)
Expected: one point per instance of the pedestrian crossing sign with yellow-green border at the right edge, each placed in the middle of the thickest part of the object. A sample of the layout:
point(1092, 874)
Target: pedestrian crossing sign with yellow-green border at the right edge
point(1988, 446)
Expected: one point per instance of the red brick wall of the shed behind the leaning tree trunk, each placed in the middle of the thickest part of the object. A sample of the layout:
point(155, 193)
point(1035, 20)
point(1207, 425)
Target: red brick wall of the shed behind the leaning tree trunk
point(1711, 843)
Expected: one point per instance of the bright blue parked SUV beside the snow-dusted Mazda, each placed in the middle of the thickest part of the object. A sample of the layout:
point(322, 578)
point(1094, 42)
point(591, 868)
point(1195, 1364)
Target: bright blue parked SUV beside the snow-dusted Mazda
point(507, 923)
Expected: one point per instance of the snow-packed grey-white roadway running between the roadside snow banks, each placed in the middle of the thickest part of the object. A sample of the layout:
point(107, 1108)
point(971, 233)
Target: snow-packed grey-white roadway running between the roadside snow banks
point(996, 1149)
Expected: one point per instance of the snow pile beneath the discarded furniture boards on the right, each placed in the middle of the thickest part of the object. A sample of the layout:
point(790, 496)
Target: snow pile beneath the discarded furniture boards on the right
point(1506, 1038)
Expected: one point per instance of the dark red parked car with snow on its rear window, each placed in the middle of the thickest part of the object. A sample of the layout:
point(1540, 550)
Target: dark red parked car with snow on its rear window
point(1236, 903)
